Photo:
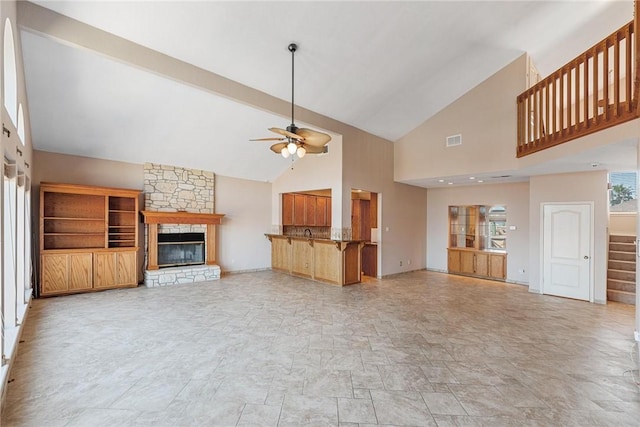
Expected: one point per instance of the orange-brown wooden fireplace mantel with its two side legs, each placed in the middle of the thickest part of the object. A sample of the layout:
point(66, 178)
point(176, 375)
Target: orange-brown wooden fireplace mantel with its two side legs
point(152, 219)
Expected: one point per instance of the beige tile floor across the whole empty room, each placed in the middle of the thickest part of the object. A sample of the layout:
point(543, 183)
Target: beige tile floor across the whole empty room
point(266, 349)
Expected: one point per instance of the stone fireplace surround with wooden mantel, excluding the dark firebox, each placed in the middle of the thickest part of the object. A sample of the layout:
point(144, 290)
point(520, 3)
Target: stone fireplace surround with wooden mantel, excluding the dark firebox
point(189, 194)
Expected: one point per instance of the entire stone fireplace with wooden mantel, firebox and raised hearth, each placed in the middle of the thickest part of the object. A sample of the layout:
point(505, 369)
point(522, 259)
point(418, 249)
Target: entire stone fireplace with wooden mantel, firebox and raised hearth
point(180, 225)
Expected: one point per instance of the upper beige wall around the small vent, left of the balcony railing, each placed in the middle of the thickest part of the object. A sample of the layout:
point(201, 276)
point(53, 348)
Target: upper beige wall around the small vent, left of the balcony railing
point(486, 119)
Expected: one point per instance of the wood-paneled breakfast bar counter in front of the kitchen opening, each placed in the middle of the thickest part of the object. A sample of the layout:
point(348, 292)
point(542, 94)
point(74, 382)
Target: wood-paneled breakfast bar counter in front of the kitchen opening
point(336, 262)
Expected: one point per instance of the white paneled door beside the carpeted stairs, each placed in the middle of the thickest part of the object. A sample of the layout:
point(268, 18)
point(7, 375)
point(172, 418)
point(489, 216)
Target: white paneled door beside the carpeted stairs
point(567, 249)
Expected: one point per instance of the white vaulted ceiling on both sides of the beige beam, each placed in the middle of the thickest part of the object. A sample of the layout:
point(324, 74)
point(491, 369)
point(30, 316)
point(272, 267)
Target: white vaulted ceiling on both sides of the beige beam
point(383, 67)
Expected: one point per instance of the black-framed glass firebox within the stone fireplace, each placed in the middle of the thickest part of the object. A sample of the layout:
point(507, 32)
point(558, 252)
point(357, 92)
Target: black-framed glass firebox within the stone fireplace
point(178, 249)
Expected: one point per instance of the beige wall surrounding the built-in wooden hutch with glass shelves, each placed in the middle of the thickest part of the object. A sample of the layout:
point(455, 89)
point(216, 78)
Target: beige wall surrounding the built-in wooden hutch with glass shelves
point(516, 199)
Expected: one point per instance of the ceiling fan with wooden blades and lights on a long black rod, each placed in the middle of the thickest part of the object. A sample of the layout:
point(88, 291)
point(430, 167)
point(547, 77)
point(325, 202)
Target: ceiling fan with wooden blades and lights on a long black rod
point(294, 140)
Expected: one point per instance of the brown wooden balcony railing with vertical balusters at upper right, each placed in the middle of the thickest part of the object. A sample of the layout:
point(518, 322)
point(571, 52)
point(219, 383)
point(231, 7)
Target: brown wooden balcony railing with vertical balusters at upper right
point(591, 93)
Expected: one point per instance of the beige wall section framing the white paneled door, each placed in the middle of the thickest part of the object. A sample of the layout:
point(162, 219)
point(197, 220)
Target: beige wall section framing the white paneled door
point(574, 187)
